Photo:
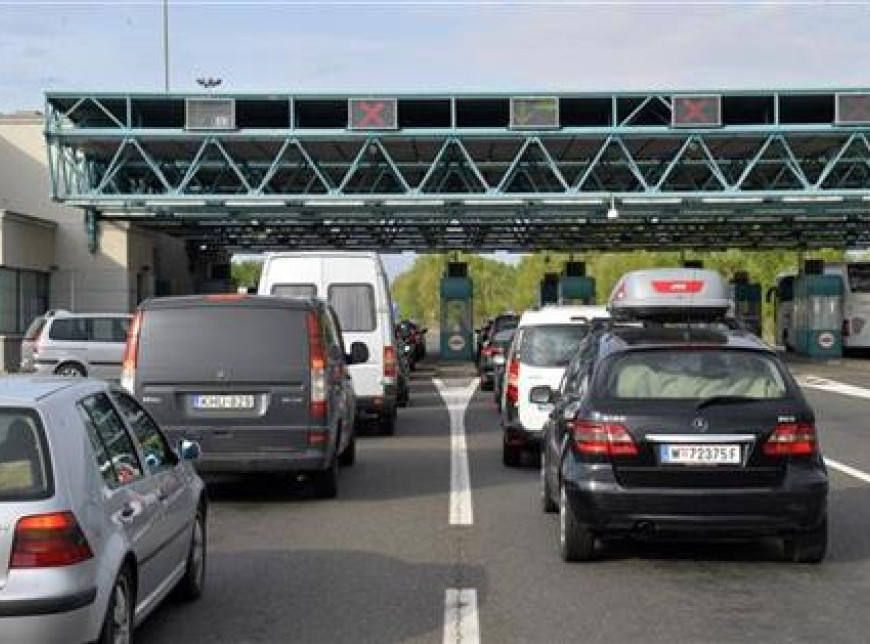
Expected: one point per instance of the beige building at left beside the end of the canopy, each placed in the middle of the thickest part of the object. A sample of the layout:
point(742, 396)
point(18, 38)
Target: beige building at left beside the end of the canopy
point(45, 262)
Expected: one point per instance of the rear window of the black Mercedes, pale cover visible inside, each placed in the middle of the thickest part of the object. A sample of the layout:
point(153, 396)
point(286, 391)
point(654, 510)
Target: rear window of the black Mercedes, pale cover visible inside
point(693, 374)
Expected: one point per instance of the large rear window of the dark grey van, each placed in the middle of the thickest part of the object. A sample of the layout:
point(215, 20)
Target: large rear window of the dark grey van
point(230, 342)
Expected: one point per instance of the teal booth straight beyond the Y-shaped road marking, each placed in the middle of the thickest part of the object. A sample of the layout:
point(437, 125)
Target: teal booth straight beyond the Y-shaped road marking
point(457, 321)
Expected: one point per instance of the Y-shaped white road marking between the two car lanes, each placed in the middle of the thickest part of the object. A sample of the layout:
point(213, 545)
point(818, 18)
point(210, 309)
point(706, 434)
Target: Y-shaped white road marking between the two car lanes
point(457, 400)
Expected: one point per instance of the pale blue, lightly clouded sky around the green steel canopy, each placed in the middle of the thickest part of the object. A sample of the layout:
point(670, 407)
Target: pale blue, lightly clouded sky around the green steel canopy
point(346, 46)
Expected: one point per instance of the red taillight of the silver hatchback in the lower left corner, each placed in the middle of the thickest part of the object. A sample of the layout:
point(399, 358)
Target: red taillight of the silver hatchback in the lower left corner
point(49, 540)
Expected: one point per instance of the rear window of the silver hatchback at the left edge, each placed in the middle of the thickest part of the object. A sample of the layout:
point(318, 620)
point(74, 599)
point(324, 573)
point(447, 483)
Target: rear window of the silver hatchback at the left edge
point(25, 469)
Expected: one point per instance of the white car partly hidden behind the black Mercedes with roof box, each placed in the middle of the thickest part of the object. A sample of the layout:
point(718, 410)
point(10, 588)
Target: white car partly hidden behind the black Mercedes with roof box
point(546, 339)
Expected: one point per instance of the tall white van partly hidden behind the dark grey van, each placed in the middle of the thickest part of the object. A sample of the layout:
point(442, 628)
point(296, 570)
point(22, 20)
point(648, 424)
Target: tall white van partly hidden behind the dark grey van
point(355, 285)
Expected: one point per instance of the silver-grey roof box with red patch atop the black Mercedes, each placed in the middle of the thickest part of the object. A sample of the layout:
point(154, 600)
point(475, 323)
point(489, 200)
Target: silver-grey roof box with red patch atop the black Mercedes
point(671, 294)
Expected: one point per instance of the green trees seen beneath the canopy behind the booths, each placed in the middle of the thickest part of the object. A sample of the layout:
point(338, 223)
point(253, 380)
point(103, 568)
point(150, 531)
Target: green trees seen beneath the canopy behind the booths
point(499, 286)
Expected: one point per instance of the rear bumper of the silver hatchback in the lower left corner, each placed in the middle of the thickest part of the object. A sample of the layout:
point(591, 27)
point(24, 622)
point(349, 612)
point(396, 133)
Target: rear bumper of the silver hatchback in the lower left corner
point(68, 618)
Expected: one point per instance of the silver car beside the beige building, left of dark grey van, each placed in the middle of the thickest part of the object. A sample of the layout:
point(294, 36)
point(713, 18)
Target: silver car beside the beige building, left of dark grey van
point(76, 344)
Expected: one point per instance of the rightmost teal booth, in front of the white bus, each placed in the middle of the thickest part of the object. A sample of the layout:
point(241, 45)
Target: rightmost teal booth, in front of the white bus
point(818, 312)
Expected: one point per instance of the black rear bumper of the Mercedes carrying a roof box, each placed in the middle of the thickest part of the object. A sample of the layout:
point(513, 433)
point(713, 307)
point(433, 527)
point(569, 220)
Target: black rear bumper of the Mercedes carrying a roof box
point(797, 505)
